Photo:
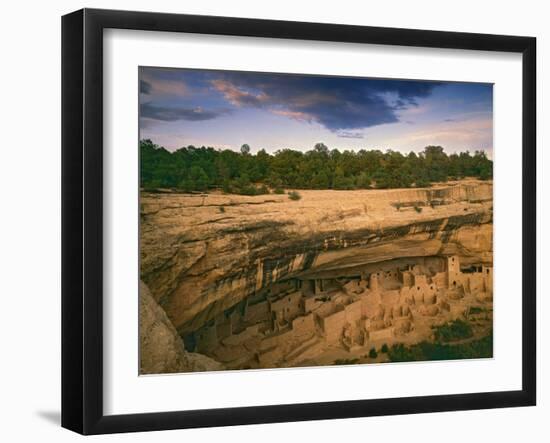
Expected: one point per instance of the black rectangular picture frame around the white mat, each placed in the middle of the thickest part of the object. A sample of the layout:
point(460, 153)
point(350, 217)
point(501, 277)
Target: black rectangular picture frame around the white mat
point(82, 219)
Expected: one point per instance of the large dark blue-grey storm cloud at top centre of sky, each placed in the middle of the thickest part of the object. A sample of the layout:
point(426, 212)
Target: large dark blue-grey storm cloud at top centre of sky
point(337, 103)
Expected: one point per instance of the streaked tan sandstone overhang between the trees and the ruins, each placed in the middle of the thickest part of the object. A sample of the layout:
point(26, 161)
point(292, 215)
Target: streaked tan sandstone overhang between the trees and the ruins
point(202, 254)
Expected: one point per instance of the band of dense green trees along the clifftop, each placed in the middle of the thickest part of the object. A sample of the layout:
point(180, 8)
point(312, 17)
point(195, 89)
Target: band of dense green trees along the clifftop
point(191, 169)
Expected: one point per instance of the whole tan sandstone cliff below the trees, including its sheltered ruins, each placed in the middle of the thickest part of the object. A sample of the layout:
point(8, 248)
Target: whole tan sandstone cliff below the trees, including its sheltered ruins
point(270, 283)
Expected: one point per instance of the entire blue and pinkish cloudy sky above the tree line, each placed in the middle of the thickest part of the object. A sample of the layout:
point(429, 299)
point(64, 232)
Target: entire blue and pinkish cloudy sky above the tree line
point(225, 109)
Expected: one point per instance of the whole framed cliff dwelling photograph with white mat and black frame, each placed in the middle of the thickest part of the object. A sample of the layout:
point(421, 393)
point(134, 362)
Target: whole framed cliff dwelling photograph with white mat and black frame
point(269, 221)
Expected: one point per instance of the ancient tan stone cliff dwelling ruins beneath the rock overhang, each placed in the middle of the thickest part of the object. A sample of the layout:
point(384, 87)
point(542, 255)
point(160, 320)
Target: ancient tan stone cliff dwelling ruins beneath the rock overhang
point(298, 320)
